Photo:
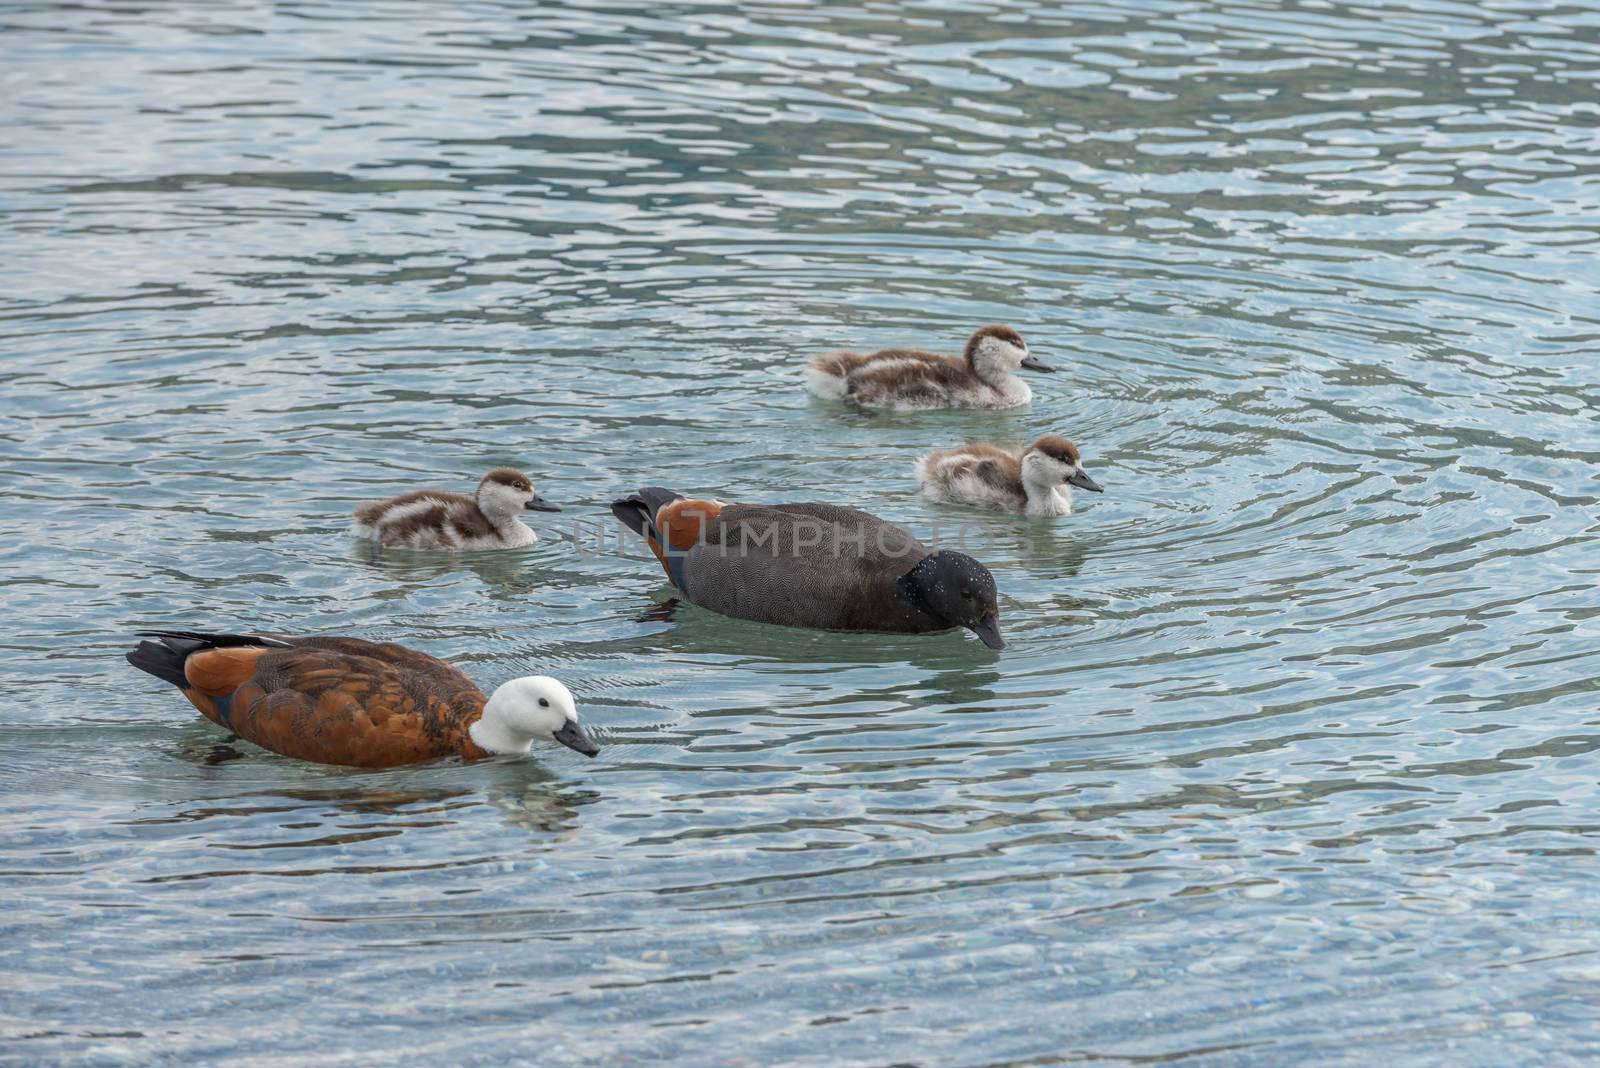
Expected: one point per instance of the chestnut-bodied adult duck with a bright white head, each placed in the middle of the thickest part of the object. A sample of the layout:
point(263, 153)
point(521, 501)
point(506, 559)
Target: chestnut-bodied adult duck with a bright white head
point(364, 704)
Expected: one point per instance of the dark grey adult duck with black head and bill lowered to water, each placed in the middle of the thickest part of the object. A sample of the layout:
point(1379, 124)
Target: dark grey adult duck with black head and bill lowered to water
point(810, 565)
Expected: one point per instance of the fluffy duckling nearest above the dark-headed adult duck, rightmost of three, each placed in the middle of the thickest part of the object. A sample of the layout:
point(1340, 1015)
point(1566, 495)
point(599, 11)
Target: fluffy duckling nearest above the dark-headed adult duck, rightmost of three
point(1034, 480)
